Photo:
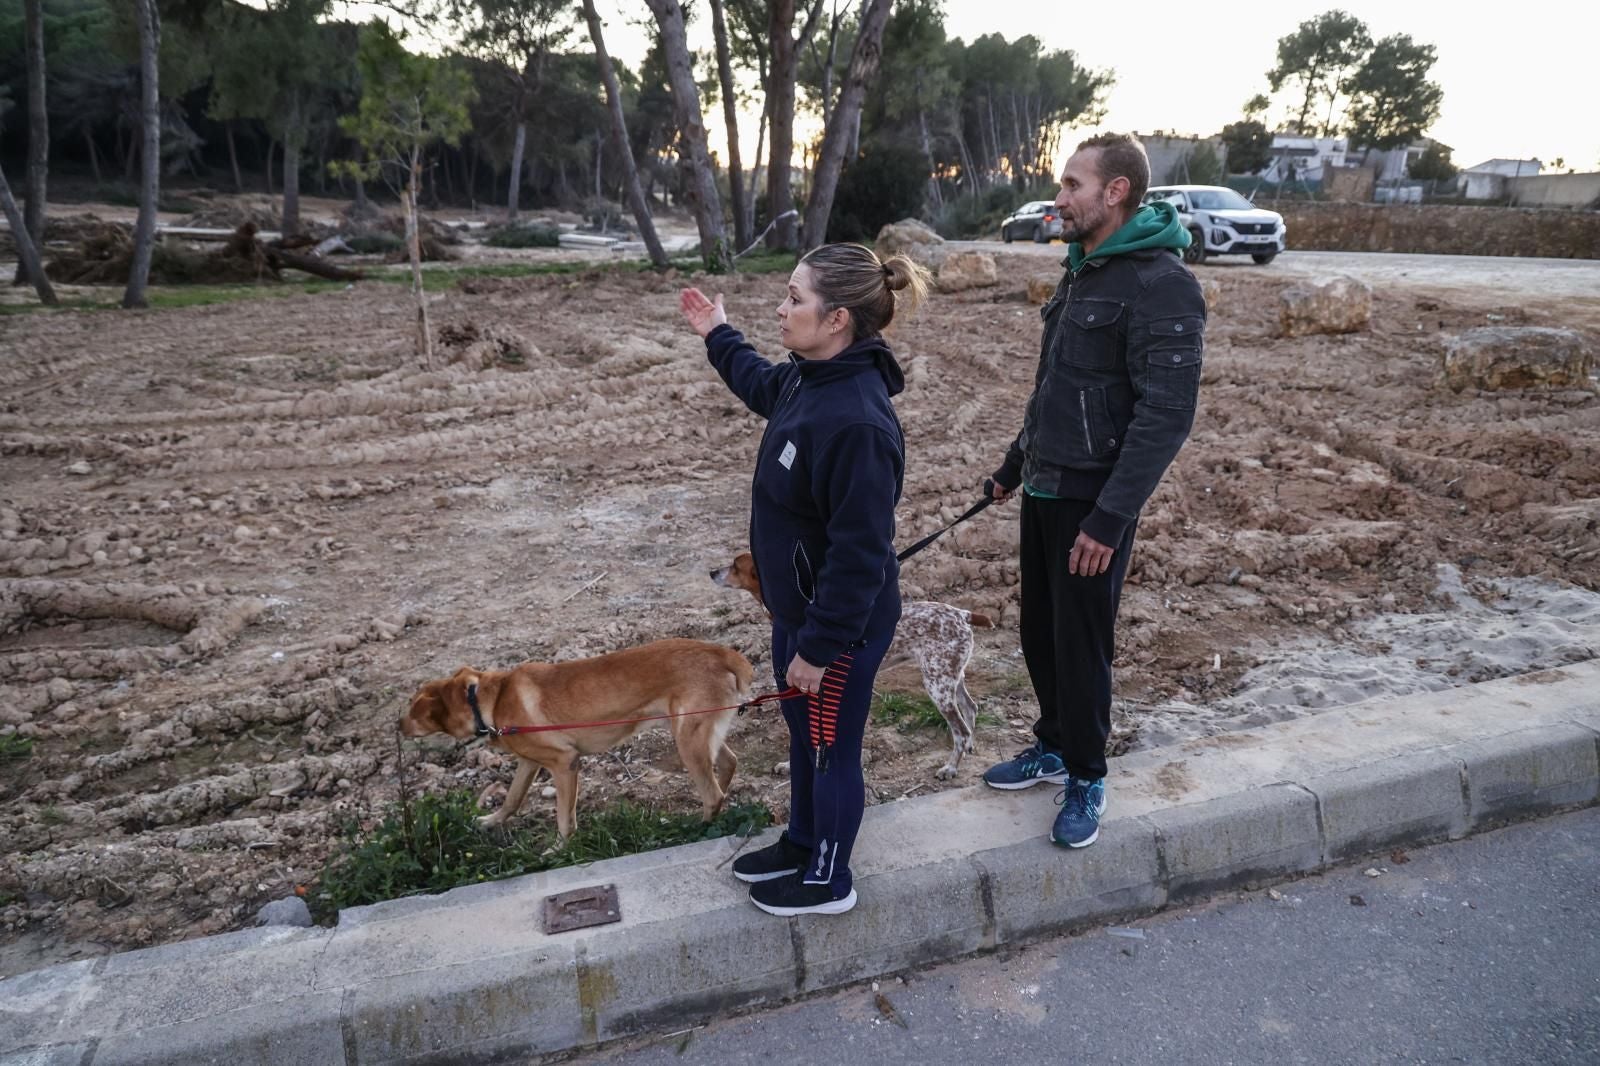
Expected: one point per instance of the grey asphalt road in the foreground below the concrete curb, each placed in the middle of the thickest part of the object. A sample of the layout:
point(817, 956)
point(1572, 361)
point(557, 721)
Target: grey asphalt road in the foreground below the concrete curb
point(1479, 952)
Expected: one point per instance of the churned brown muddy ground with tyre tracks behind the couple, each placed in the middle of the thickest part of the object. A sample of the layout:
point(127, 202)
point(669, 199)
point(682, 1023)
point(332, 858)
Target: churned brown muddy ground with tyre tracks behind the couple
point(234, 539)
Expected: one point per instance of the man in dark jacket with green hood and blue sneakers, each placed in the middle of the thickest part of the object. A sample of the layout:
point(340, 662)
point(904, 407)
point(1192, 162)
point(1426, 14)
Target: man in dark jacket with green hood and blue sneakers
point(1114, 399)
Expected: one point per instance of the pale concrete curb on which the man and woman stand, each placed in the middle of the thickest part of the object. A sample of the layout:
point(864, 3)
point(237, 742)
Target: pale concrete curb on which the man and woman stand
point(468, 976)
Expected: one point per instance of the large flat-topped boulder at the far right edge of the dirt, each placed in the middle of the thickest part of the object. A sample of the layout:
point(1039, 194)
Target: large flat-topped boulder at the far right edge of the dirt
point(1518, 358)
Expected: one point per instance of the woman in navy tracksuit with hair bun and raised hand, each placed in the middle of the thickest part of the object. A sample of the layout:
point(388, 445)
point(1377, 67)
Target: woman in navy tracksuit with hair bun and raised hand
point(828, 476)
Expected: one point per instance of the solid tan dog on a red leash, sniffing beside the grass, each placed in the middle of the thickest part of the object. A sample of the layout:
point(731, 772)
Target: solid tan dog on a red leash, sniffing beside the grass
point(662, 678)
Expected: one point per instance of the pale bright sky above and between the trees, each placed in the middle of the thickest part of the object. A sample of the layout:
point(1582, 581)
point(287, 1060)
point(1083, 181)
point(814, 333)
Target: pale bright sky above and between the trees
point(1519, 79)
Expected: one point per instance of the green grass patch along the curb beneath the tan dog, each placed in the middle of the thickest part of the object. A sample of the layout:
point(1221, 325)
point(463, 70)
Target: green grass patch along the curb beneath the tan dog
point(434, 844)
